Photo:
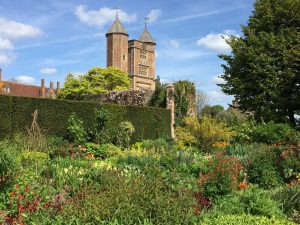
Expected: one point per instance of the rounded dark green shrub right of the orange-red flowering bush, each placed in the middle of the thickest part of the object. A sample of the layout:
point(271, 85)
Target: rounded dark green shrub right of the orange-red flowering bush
point(261, 167)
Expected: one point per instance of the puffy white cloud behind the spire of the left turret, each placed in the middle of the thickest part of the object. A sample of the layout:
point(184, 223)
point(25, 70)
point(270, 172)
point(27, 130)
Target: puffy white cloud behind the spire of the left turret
point(102, 16)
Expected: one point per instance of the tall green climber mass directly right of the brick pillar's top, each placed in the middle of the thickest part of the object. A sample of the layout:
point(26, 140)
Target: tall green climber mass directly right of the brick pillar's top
point(185, 97)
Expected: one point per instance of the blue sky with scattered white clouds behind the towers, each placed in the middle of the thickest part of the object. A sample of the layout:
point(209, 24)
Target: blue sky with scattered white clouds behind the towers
point(51, 38)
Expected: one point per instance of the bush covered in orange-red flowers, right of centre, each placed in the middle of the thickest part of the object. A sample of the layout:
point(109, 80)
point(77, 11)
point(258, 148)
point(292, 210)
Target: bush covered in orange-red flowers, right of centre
point(222, 176)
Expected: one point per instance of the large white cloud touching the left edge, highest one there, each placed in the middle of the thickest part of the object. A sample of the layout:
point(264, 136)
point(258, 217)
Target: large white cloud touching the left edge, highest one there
point(13, 30)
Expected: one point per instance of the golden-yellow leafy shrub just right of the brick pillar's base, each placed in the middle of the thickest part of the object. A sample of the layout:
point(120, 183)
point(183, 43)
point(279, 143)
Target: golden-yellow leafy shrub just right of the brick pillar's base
point(203, 133)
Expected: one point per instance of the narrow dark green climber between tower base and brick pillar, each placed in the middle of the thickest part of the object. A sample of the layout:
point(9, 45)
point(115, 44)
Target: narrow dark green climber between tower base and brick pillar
point(158, 99)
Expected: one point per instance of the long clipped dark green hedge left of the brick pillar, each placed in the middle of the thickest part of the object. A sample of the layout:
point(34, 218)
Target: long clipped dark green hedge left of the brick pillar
point(16, 116)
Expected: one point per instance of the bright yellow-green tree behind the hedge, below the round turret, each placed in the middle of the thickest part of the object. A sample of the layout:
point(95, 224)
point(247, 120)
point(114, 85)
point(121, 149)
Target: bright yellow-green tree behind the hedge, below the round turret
point(96, 81)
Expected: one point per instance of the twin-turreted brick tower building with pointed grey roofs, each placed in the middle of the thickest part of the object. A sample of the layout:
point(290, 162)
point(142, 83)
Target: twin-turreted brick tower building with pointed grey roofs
point(135, 57)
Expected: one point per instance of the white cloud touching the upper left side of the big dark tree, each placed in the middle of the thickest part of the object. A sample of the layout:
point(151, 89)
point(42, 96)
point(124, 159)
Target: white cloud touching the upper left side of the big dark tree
point(216, 41)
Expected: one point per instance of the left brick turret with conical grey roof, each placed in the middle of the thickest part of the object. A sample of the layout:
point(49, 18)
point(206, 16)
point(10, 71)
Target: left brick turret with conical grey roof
point(117, 46)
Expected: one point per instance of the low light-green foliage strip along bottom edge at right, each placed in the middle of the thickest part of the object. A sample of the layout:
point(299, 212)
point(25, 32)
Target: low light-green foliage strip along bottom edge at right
point(243, 219)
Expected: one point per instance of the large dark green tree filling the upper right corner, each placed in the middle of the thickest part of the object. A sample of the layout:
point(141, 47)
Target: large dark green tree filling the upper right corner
point(263, 70)
